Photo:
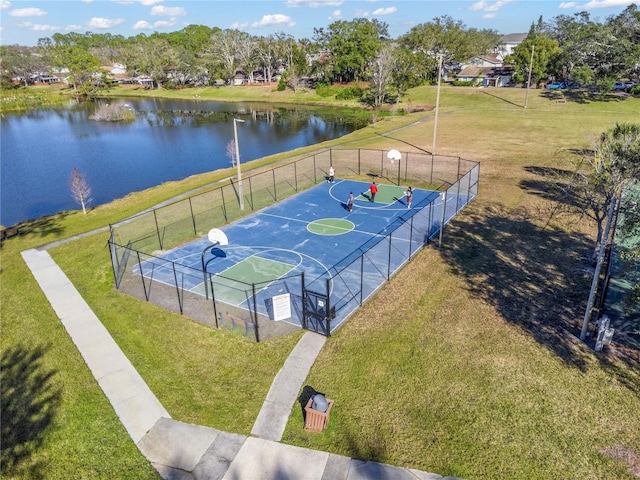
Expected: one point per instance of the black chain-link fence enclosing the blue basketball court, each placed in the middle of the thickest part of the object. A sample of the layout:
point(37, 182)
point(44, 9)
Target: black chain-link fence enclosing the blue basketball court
point(137, 244)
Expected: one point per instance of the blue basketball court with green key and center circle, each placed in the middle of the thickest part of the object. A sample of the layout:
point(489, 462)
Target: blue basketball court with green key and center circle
point(310, 239)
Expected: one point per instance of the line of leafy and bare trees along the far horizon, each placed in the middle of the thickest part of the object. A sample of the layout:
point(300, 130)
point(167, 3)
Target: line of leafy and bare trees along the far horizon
point(361, 50)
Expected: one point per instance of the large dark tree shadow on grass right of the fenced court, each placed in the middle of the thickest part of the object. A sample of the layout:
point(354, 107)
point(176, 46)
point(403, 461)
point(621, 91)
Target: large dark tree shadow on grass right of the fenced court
point(536, 276)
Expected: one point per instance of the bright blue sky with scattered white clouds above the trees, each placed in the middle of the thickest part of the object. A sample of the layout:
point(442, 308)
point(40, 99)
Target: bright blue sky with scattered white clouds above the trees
point(23, 22)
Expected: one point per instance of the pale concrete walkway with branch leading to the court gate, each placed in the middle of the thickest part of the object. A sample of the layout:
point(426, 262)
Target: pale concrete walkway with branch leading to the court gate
point(181, 451)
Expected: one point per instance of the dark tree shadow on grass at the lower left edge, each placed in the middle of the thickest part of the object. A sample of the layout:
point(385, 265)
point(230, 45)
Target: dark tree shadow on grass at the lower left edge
point(30, 401)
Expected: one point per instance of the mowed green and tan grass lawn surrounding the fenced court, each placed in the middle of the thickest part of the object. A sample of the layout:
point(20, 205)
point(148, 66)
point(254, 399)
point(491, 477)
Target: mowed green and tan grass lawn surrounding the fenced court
point(465, 364)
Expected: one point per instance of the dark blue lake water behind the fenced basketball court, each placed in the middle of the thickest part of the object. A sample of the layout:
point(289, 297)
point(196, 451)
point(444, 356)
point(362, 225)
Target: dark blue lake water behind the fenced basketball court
point(168, 140)
